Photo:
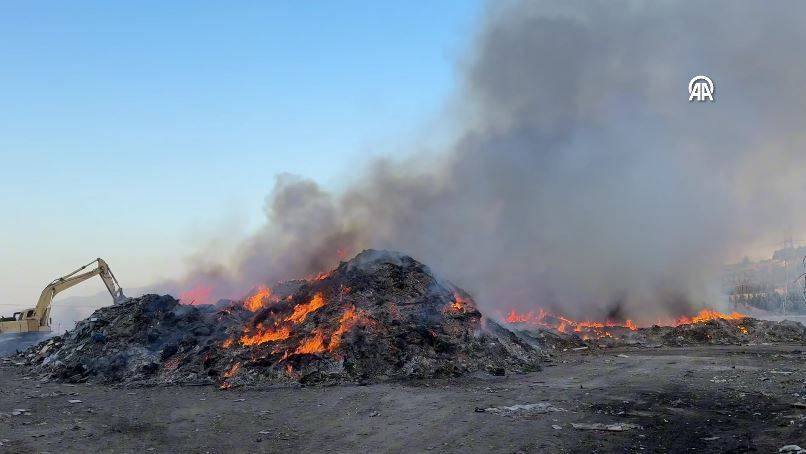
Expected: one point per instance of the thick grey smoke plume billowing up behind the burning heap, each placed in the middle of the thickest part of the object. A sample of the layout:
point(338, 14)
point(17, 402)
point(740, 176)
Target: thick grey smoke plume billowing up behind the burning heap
point(583, 180)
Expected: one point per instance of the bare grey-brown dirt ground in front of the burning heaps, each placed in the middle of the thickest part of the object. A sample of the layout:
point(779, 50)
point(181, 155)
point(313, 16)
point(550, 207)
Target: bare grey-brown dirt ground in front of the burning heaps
point(707, 399)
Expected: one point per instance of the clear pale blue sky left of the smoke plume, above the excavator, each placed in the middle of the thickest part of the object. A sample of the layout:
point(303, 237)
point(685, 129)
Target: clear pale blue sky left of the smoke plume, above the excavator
point(136, 131)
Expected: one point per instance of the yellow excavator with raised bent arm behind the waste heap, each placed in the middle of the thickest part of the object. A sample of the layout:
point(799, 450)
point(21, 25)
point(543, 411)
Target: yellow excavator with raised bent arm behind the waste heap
point(37, 319)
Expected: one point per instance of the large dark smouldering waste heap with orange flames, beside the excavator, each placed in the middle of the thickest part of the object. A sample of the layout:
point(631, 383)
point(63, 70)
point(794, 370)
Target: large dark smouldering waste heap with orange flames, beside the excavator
point(380, 316)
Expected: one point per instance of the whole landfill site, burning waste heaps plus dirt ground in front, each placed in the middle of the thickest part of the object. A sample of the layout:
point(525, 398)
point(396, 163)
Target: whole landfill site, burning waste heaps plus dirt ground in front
point(399, 361)
